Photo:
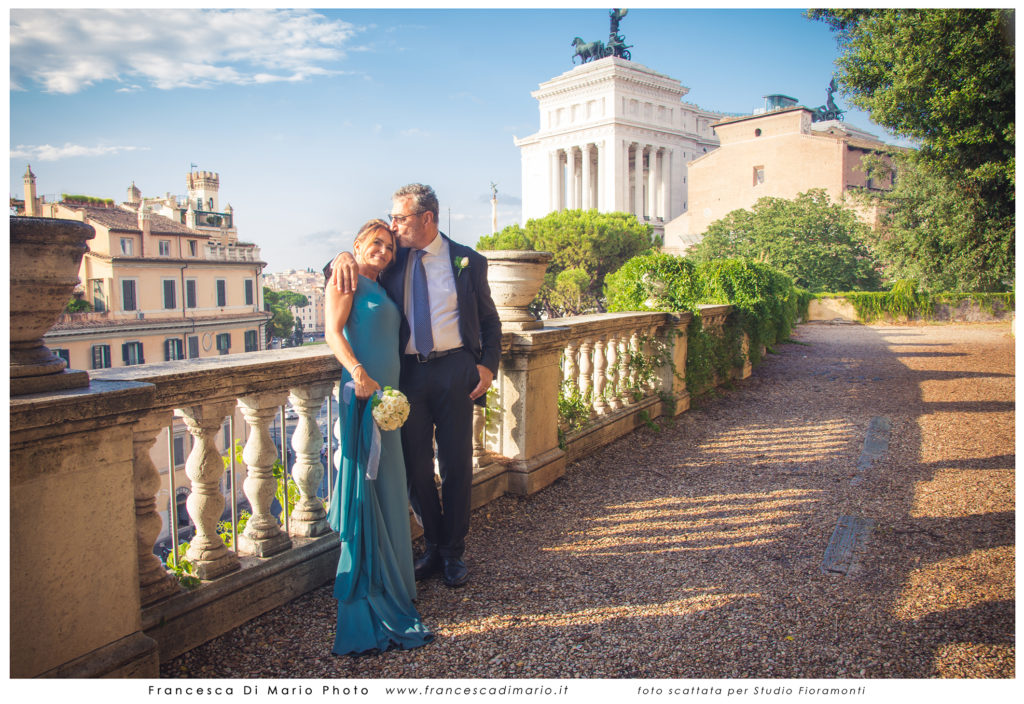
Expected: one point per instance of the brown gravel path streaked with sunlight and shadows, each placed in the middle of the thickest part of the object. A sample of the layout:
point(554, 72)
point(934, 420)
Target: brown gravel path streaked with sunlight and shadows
point(697, 551)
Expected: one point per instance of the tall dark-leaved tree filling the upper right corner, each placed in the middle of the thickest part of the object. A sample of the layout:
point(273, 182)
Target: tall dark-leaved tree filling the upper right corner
point(945, 78)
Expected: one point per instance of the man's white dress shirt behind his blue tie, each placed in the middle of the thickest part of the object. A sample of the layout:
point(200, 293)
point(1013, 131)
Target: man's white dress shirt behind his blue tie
point(444, 300)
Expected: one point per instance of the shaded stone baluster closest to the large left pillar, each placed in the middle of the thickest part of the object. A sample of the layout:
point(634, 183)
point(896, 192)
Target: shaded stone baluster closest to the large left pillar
point(154, 582)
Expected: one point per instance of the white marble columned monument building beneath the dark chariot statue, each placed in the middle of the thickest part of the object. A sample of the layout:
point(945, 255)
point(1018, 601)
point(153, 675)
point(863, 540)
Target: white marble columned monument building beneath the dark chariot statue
point(615, 137)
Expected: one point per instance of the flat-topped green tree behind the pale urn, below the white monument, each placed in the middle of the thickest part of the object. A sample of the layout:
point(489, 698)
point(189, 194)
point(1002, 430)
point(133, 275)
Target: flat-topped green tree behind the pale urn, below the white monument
point(588, 246)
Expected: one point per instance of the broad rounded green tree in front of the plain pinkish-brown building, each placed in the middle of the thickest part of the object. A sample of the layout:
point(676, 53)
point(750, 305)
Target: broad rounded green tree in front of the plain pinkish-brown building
point(820, 244)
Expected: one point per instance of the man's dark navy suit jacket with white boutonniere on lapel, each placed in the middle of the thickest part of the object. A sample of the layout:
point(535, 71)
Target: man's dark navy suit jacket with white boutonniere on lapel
point(479, 323)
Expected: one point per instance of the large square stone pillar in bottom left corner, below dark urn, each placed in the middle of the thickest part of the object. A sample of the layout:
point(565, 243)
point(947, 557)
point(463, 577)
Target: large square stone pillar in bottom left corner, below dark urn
point(74, 592)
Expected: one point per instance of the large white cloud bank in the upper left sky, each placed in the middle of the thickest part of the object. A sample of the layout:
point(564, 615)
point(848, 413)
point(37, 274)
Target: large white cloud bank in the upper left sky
point(66, 51)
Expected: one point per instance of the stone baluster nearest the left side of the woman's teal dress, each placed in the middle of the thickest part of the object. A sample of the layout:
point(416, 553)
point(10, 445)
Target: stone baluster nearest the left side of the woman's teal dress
point(310, 516)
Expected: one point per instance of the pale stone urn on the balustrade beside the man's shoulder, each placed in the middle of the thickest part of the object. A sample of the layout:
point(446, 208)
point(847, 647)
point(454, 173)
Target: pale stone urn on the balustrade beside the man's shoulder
point(516, 277)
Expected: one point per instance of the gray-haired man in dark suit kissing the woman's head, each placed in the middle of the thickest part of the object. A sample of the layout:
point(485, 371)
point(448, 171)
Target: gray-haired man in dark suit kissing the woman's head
point(451, 345)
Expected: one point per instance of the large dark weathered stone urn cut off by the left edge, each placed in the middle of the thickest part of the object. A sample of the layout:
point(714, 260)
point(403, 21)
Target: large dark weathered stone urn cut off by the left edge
point(46, 255)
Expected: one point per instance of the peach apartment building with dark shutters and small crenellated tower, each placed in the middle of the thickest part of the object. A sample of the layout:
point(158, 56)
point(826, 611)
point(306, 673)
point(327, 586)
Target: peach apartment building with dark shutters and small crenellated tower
point(166, 280)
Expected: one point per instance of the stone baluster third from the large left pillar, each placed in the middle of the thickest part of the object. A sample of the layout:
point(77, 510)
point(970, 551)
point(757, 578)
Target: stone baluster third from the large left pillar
point(263, 536)
